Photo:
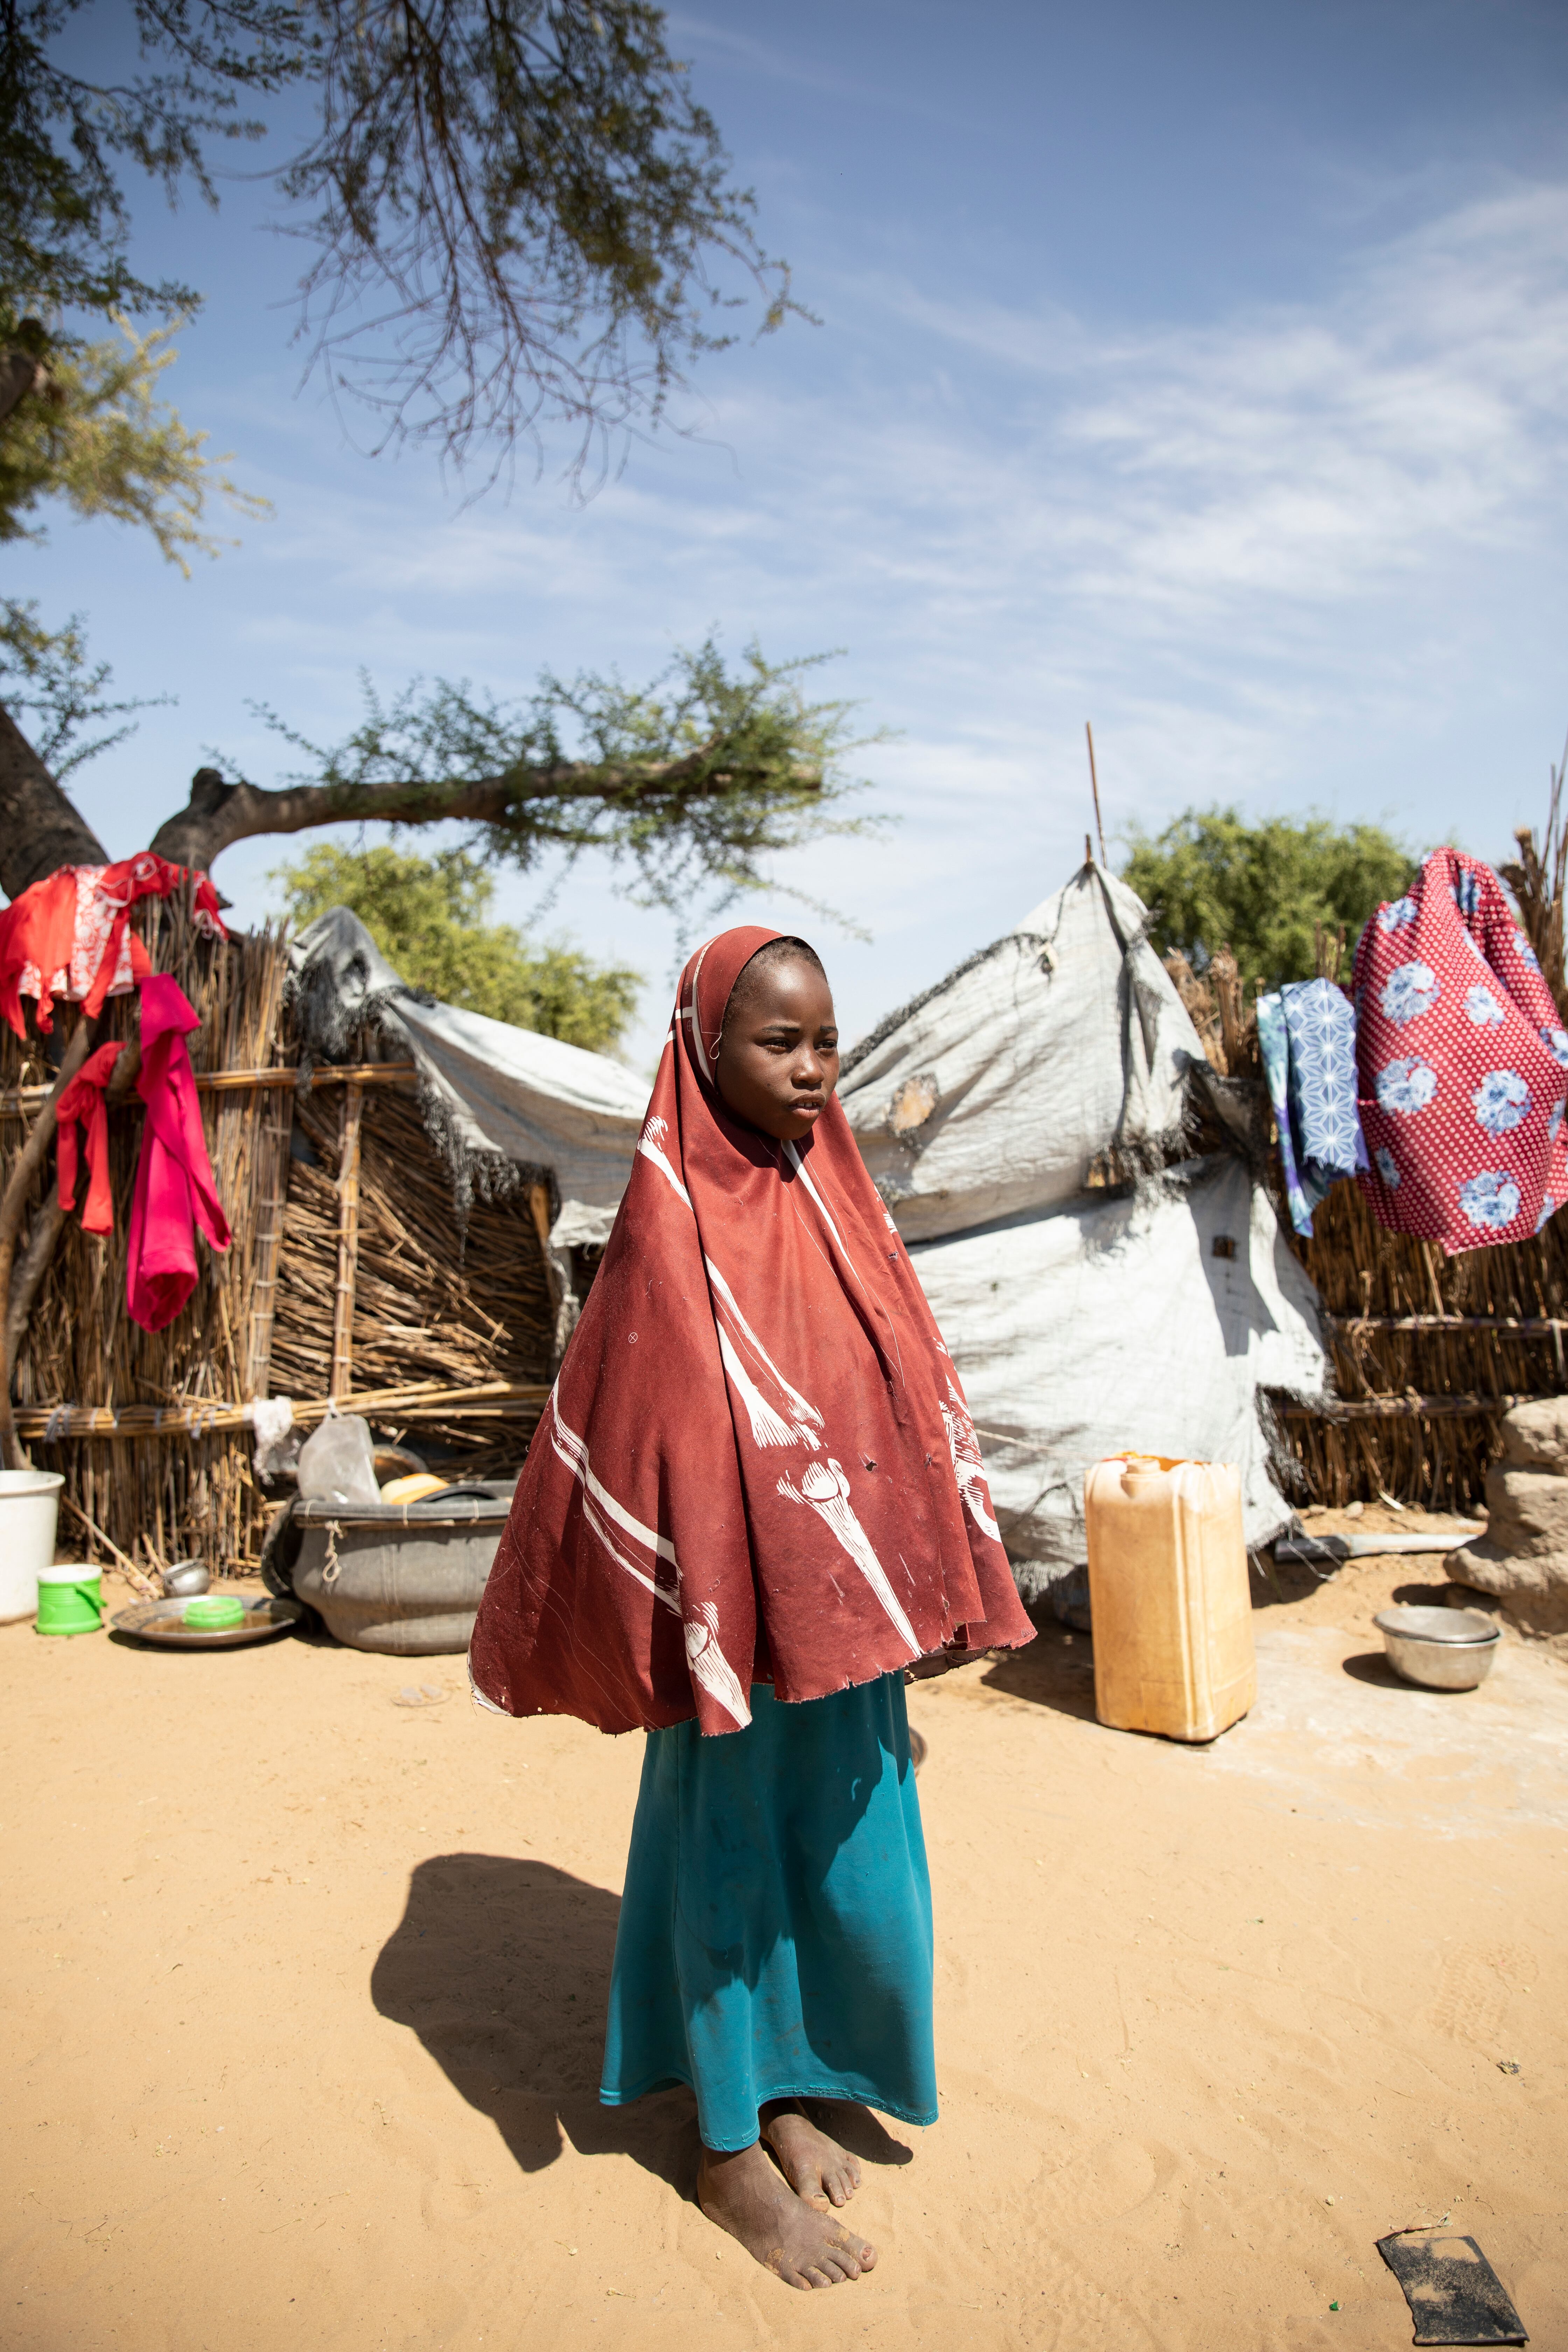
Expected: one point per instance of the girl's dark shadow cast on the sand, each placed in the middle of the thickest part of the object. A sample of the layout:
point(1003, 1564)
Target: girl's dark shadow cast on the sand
point(502, 1970)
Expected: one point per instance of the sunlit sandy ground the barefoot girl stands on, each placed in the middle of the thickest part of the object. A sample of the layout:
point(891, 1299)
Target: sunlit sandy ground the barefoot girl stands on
point(304, 1998)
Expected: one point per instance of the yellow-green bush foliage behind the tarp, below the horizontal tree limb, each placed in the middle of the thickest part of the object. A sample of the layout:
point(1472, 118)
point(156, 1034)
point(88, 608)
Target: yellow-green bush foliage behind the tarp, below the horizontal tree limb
point(429, 921)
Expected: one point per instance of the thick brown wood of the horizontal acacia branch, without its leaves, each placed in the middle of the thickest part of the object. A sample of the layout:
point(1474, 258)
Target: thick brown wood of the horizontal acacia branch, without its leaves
point(222, 815)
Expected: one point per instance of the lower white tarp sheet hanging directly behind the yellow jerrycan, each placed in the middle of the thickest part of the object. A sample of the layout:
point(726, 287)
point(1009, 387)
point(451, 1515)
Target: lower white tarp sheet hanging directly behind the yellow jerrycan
point(1108, 1325)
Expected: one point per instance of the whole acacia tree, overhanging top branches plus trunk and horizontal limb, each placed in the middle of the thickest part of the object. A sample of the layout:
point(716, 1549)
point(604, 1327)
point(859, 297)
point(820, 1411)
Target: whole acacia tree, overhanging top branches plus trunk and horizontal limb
point(514, 215)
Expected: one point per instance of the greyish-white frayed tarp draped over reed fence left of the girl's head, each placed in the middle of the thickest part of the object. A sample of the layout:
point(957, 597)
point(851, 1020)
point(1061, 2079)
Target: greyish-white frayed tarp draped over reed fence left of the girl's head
point(495, 1090)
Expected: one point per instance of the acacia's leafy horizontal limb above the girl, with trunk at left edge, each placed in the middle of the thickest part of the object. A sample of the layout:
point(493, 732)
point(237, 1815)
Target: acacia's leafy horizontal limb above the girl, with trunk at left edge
point(688, 784)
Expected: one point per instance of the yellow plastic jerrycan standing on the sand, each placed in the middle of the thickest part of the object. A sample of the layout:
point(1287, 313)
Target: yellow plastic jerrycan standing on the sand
point(1170, 1598)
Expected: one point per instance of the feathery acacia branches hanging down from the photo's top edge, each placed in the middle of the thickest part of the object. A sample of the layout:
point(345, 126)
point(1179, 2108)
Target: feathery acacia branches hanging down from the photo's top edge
point(511, 213)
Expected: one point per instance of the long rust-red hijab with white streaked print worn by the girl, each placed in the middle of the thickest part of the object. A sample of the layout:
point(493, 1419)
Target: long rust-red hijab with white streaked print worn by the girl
point(756, 1464)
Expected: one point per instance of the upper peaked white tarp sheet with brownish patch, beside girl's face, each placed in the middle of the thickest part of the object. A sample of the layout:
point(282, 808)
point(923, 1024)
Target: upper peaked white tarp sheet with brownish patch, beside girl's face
point(1003, 1085)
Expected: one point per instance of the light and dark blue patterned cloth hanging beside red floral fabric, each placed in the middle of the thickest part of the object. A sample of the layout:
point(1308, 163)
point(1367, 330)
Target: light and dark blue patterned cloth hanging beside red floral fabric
point(1308, 1038)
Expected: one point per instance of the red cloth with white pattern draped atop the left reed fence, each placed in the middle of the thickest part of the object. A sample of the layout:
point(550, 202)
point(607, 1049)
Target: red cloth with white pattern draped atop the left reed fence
point(69, 935)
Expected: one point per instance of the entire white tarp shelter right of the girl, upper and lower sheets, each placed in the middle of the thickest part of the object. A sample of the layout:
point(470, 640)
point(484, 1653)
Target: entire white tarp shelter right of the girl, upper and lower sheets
point(1083, 1318)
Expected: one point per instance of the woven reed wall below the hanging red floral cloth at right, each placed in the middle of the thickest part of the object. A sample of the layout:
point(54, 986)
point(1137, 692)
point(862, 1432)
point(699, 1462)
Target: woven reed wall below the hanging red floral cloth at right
point(1416, 1419)
